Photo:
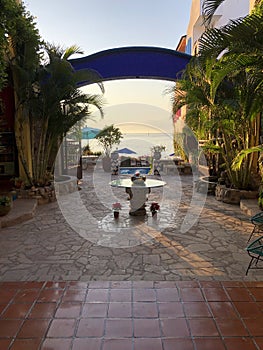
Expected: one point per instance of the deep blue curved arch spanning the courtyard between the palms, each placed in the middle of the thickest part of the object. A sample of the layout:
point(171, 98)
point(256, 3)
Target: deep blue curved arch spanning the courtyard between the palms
point(135, 62)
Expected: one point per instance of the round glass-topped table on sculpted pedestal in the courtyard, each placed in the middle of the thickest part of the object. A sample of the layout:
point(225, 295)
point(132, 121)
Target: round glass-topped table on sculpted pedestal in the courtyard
point(138, 192)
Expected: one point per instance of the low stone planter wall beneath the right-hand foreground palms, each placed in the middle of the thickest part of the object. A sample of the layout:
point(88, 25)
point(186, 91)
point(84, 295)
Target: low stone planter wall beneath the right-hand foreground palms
point(232, 195)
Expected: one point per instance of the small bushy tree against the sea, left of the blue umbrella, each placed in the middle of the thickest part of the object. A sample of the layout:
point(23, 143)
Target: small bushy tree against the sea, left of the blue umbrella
point(108, 137)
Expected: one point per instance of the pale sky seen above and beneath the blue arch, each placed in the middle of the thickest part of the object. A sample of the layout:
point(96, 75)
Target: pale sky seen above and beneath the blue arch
point(103, 24)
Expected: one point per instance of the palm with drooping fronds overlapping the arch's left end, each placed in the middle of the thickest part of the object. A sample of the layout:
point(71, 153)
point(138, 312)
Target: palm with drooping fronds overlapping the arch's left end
point(56, 108)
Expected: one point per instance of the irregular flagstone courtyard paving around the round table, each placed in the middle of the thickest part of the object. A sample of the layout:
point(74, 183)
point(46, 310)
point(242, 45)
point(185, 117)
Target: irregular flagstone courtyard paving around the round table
point(192, 237)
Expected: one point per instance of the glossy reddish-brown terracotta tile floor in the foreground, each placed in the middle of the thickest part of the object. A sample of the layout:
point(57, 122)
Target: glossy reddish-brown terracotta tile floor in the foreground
point(185, 315)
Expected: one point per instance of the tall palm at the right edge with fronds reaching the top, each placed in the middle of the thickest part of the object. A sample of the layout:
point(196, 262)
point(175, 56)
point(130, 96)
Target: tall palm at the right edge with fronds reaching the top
point(242, 44)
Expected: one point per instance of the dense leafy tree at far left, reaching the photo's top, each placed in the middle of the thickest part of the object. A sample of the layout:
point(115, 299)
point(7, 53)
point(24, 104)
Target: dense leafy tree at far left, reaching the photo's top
point(20, 60)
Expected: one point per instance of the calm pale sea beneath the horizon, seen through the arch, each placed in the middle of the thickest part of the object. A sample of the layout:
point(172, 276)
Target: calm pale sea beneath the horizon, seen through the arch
point(141, 143)
